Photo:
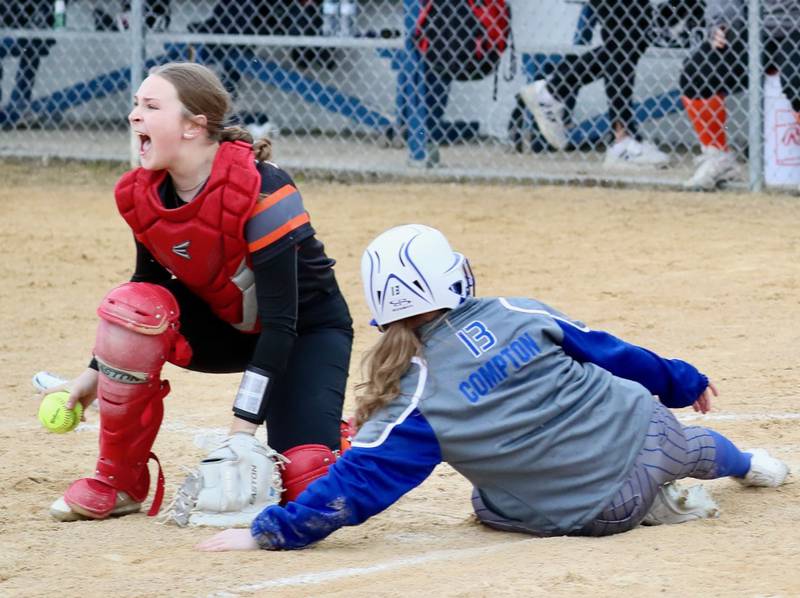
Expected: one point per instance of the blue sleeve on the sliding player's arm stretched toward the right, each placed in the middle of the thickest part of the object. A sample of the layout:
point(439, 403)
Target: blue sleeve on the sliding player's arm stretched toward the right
point(677, 383)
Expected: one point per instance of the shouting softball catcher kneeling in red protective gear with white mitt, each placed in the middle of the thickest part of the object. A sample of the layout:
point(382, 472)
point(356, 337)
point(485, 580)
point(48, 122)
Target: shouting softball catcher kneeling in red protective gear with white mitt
point(229, 277)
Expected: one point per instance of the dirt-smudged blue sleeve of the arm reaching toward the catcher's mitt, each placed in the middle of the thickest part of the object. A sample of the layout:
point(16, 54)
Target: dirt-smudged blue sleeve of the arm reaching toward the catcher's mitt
point(363, 482)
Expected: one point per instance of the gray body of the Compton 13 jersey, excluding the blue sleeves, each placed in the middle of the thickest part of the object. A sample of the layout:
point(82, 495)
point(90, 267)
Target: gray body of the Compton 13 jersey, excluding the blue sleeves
point(546, 439)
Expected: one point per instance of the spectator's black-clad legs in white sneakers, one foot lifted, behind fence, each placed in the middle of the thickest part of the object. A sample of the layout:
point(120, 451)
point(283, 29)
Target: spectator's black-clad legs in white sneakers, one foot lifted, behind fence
point(627, 31)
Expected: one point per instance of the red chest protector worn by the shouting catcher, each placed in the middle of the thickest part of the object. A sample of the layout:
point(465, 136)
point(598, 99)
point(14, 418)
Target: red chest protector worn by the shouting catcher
point(202, 243)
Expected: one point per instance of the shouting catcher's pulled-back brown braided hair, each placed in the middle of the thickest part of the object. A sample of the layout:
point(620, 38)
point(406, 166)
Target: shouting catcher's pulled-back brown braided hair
point(202, 93)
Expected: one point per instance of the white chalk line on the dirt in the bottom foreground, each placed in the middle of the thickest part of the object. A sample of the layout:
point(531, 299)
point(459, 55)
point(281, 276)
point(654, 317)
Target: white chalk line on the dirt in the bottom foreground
point(334, 574)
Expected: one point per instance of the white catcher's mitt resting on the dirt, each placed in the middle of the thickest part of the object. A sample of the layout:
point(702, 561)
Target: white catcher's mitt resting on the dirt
point(232, 485)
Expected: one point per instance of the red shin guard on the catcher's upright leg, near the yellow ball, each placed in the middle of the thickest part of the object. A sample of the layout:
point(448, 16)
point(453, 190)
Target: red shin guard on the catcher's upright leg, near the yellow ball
point(137, 333)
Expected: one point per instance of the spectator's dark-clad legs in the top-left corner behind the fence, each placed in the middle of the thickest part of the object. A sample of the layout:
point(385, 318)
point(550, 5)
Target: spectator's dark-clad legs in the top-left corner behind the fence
point(23, 14)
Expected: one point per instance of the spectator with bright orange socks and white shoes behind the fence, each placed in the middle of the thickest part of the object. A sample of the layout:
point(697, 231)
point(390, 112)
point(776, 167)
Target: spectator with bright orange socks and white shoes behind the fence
point(719, 67)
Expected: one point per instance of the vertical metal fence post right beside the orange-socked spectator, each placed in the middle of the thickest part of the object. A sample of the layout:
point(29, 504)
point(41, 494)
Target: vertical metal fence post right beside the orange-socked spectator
point(755, 98)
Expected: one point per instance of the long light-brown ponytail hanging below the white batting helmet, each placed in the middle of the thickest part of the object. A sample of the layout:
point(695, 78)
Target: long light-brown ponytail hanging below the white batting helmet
point(384, 365)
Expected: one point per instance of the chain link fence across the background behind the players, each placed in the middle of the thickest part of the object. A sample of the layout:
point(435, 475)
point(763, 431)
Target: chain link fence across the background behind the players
point(668, 92)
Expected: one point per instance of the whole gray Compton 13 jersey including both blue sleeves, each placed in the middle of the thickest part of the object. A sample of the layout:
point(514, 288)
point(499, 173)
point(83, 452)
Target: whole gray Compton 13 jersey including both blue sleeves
point(547, 418)
